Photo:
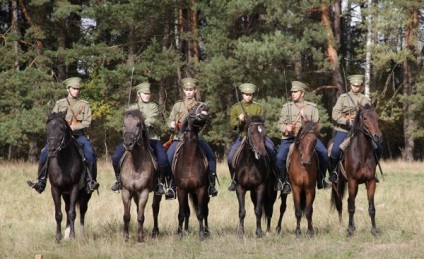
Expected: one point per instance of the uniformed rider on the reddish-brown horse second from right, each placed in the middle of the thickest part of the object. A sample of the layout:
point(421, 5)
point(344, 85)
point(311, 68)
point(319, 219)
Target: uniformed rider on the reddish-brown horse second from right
point(290, 123)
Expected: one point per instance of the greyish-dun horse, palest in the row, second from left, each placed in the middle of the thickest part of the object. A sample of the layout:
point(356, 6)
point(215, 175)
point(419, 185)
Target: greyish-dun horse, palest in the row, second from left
point(138, 168)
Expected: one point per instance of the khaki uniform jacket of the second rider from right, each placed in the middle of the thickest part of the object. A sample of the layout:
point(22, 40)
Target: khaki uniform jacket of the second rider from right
point(291, 114)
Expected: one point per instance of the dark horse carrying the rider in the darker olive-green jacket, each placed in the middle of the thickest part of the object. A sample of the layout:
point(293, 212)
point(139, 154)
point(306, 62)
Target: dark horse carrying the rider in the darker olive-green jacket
point(252, 172)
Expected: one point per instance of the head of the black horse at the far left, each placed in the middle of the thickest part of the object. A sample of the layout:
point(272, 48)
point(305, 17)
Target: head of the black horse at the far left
point(58, 132)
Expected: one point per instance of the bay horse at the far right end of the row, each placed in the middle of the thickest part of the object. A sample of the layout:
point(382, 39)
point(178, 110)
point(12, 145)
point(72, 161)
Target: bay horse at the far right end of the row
point(358, 165)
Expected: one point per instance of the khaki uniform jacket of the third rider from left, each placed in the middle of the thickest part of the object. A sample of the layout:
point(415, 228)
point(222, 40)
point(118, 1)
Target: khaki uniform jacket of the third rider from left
point(178, 113)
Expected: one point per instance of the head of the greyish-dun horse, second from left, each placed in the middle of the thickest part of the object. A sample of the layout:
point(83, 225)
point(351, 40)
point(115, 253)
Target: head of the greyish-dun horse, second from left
point(134, 129)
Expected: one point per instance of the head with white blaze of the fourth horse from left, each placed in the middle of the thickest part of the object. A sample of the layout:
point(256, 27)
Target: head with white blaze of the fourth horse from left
point(256, 135)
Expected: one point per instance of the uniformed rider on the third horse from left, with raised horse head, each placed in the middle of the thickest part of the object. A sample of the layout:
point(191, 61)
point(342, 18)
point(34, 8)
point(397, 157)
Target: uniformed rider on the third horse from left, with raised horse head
point(176, 117)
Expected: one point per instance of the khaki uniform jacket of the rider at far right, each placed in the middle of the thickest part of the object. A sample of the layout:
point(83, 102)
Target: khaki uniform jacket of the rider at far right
point(344, 107)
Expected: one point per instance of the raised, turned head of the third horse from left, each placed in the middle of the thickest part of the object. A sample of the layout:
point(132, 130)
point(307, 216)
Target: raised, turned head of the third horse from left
point(196, 119)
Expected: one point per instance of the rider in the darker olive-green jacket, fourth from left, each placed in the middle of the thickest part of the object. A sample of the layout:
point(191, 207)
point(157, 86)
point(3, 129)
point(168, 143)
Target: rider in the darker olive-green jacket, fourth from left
point(238, 113)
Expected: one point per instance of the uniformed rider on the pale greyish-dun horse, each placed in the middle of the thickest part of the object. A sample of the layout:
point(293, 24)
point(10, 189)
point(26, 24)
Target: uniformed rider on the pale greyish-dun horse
point(150, 111)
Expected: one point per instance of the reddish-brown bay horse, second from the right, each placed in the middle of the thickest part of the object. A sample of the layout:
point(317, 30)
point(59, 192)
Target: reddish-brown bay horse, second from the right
point(303, 171)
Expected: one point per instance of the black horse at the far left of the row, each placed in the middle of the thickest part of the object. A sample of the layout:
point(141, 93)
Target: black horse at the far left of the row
point(65, 169)
